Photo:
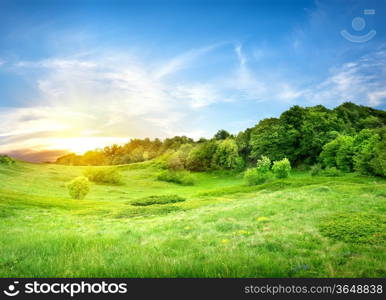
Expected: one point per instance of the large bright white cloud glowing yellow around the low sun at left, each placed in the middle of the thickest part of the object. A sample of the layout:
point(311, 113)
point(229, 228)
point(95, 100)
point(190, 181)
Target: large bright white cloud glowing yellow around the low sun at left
point(103, 97)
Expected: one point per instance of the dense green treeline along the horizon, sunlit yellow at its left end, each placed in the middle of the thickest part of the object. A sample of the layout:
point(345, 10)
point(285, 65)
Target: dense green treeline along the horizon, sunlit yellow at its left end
point(349, 137)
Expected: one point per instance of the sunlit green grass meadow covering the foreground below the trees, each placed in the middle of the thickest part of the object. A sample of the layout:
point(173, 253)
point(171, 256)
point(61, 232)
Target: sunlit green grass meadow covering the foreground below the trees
point(302, 226)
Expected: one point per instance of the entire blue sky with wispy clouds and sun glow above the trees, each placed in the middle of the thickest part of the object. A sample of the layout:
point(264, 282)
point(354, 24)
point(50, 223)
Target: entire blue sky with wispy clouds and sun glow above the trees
point(81, 74)
